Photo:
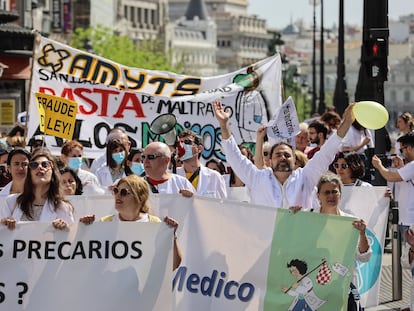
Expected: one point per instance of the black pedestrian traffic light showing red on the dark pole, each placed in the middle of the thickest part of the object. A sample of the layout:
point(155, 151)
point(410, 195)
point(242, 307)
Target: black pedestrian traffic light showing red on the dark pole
point(376, 54)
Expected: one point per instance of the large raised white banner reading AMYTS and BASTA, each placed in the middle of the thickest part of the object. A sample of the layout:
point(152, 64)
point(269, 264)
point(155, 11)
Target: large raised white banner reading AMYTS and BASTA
point(109, 94)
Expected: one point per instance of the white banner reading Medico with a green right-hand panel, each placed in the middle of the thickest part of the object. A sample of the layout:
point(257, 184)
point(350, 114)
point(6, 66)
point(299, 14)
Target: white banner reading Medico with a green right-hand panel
point(232, 251)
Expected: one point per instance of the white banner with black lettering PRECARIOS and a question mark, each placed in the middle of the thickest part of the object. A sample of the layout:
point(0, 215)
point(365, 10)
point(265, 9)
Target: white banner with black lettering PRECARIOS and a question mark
point(105, 266)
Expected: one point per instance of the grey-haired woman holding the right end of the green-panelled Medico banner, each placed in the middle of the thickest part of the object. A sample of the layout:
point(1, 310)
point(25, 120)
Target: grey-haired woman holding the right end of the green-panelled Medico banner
point(329, 191)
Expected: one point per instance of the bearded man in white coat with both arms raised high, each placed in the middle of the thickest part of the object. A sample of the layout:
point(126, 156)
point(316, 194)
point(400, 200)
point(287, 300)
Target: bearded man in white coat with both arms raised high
point(281, 187)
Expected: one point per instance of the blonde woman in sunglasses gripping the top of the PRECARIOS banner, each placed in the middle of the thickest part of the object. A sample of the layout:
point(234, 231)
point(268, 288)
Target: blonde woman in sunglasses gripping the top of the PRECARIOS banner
point(131, 195)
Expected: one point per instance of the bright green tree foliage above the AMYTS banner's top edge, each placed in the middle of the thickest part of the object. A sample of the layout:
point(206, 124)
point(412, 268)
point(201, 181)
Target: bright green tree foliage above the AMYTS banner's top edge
point(104, 42)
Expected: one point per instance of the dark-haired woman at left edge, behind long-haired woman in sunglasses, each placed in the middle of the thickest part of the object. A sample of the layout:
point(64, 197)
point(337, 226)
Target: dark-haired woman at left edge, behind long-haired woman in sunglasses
point(17, 165)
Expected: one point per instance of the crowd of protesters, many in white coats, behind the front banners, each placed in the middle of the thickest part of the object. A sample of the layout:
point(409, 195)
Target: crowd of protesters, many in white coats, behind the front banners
point(306, 174)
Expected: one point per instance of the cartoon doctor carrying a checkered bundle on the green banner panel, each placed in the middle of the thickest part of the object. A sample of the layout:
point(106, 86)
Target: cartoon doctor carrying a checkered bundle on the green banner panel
point(305, 298)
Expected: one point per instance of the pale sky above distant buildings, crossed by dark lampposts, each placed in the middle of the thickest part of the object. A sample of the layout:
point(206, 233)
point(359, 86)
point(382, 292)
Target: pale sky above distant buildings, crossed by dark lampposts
point(295, 9)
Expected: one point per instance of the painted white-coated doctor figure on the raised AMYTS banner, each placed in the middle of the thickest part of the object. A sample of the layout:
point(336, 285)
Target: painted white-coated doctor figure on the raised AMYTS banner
point(250, 105)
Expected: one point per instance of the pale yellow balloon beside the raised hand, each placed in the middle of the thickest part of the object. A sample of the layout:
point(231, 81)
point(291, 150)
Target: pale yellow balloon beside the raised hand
point(370, 114)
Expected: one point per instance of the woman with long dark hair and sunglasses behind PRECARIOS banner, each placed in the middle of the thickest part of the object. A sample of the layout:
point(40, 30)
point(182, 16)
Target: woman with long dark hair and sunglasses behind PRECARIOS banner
point(42, 198)
